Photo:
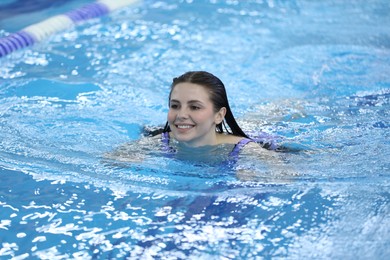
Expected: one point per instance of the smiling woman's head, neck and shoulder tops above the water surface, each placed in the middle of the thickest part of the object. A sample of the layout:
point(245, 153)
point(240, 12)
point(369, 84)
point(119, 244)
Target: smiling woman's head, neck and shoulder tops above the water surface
point(199, 111)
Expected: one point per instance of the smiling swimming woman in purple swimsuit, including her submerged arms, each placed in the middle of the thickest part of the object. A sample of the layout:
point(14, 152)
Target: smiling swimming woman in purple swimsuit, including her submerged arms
point(201, 127)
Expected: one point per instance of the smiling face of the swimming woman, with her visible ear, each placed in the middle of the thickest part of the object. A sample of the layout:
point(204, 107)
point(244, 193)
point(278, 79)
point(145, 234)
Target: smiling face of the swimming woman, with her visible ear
point(191, 115)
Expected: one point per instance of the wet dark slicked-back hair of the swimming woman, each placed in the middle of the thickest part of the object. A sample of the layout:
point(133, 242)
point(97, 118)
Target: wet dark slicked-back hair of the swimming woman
point(218, 97)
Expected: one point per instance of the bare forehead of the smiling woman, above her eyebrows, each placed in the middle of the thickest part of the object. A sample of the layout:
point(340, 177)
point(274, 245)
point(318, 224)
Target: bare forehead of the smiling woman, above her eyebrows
point(190, 91)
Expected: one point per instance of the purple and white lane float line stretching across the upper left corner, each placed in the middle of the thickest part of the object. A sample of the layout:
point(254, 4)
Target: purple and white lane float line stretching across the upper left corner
point(39, 31)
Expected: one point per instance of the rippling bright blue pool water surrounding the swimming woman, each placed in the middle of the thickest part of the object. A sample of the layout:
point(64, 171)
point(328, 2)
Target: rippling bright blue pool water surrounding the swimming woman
point(313, 74)
